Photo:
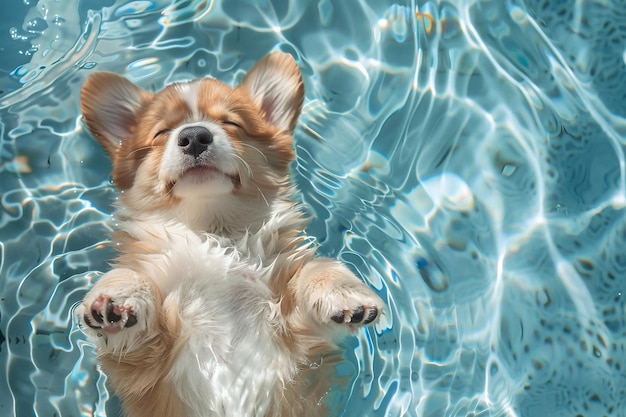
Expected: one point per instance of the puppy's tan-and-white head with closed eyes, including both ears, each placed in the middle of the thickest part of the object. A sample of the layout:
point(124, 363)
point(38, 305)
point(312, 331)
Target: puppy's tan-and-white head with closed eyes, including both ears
point(198, 139)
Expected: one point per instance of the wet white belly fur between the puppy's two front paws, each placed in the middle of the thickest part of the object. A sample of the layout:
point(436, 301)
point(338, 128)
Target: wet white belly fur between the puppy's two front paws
point(231, 364)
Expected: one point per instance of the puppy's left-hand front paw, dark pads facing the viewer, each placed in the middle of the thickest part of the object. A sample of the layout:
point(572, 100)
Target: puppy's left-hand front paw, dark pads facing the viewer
point(119, 309)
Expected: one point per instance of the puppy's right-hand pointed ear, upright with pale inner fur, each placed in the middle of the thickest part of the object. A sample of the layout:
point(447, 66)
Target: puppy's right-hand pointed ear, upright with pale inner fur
point(275, 85)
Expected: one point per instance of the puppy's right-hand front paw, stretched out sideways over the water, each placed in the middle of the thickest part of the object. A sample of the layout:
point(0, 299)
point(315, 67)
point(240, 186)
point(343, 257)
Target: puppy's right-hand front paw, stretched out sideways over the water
point(330, 293)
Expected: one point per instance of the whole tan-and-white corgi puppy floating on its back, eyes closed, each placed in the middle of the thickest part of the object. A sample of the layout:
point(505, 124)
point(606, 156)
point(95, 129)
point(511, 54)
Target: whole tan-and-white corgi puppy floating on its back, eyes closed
point(216, 304)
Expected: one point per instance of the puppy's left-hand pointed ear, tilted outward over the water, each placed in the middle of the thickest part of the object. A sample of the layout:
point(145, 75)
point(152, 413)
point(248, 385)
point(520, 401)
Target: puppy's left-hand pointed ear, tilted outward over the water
point(109, 104)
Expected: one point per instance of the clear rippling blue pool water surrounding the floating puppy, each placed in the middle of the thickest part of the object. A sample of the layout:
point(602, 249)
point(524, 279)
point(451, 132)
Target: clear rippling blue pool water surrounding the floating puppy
point(465, 158)
